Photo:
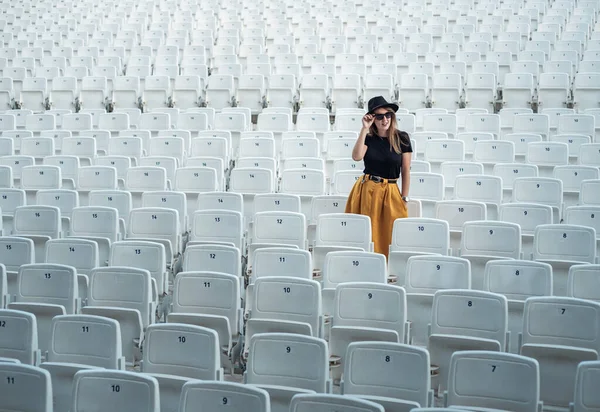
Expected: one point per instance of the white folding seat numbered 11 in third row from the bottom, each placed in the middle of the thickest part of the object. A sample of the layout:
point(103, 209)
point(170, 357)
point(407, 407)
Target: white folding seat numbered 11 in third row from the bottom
point(218, 307)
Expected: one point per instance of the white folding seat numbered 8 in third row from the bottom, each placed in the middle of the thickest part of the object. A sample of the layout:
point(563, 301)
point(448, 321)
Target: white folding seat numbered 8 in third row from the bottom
point(479, 322)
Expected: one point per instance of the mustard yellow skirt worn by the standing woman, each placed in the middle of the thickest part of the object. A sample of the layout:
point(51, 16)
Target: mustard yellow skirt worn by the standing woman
point(383, 203)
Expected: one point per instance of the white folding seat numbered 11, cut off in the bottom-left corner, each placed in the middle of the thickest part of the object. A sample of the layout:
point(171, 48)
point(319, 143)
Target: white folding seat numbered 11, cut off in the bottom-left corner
point(24, 380)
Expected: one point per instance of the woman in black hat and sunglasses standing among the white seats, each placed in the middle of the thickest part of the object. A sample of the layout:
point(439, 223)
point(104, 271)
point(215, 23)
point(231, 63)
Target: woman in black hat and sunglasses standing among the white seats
point(386, 152)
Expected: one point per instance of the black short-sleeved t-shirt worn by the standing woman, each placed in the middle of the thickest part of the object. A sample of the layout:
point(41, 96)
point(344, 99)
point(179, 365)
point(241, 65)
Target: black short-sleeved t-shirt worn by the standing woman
point(381, 160)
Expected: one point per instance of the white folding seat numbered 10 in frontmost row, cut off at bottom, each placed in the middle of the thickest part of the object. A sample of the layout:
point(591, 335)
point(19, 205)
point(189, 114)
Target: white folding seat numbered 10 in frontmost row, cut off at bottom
point(123, 390)
